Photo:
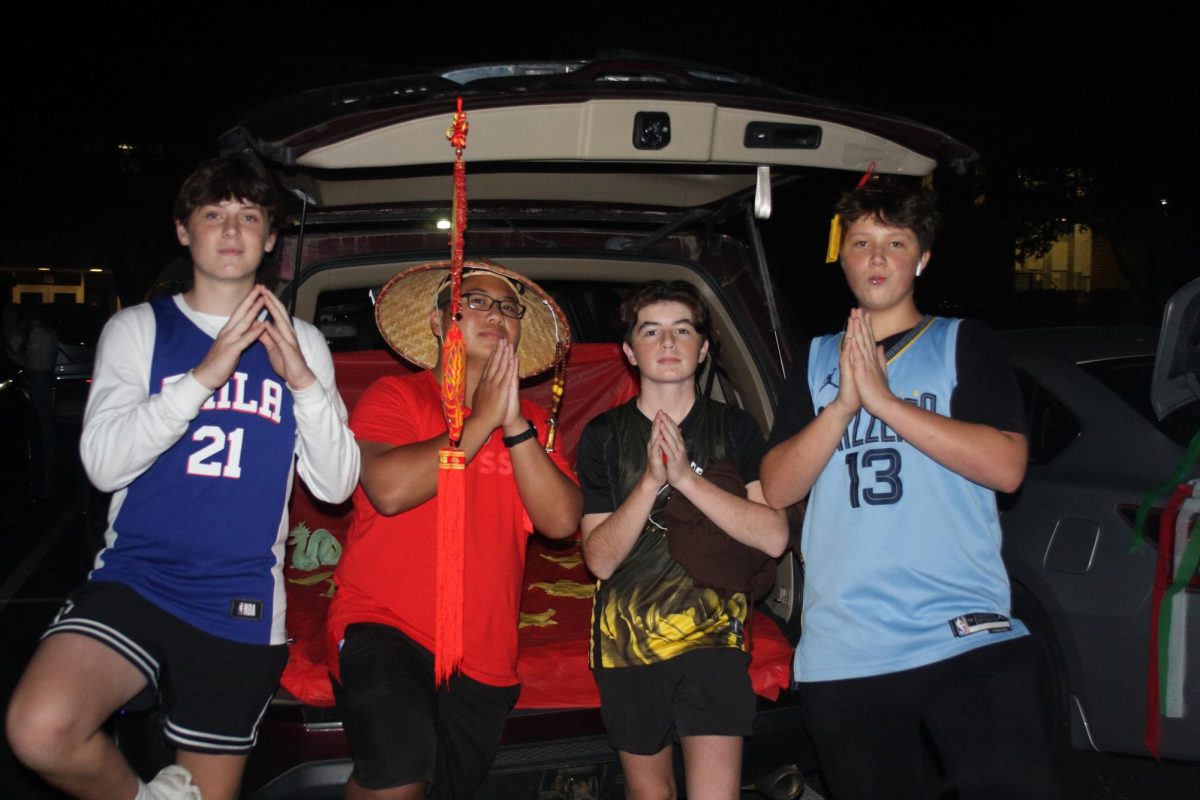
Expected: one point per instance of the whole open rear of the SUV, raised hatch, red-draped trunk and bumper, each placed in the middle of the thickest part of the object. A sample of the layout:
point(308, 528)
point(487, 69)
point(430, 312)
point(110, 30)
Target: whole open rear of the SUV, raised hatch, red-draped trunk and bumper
point(587, 177)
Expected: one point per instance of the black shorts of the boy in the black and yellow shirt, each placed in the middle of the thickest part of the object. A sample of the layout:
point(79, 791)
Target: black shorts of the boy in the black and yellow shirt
point(706, 693)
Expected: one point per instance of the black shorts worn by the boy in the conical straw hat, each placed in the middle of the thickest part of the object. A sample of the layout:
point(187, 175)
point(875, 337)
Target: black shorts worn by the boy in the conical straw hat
point(401, 729)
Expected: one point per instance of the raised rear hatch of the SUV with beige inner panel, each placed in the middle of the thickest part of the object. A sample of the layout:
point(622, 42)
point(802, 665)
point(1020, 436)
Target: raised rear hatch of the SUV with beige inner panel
point(652, 149)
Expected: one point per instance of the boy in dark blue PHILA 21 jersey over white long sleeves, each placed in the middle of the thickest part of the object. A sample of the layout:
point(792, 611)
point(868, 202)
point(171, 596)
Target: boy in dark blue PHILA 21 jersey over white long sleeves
point(200, 407)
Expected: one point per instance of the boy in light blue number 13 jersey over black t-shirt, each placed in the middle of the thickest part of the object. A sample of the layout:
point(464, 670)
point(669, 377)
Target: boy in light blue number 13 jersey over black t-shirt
point(901, 431)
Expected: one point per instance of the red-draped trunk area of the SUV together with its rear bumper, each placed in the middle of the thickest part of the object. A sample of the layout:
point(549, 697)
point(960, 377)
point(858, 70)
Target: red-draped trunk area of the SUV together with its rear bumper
point(544, 735)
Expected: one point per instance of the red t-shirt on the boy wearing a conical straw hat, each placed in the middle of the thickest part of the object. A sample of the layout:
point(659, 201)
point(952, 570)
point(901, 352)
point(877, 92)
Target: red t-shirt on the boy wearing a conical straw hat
point(388, 572)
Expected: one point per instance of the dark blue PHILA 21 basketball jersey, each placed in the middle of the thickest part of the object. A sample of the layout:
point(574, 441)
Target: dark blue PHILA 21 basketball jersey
point(199, 533)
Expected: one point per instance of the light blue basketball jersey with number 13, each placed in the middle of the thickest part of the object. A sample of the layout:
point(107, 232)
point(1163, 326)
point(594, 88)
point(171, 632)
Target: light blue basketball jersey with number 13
point(903, 563)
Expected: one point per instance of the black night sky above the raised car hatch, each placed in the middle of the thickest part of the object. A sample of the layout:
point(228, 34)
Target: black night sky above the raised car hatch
point(1078, 87)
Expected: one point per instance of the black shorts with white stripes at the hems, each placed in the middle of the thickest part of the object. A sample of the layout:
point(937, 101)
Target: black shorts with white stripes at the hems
point(213, 691)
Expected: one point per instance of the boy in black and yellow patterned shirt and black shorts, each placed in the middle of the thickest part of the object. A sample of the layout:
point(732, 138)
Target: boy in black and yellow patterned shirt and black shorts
point(669, 478)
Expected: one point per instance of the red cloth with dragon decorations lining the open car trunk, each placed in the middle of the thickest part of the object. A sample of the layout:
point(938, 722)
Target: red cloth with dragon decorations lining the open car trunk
point(556, 609)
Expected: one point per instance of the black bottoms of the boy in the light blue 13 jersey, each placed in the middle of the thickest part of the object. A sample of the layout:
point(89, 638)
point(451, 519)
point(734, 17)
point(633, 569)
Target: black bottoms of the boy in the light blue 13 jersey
point(980, 711)
